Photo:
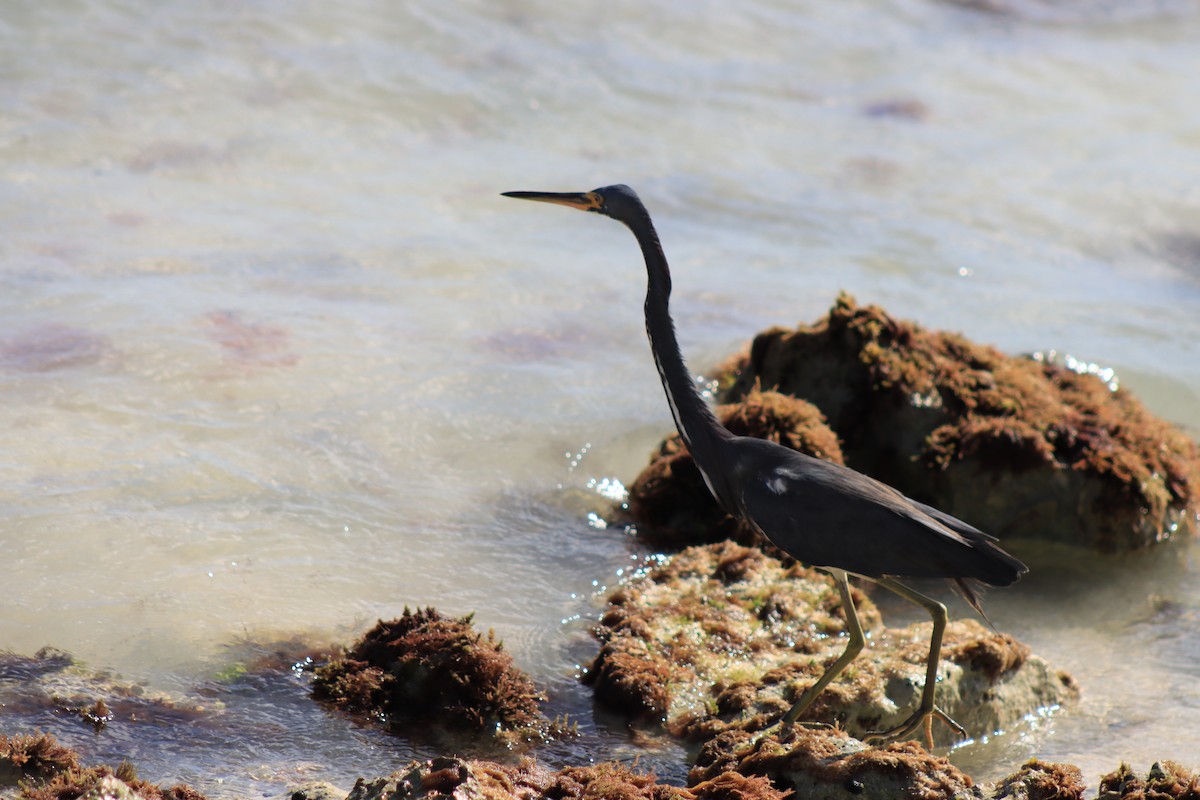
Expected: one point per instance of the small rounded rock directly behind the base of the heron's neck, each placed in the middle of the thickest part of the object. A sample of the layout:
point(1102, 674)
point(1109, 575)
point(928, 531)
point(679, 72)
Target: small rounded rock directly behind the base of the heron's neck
point(670, 503)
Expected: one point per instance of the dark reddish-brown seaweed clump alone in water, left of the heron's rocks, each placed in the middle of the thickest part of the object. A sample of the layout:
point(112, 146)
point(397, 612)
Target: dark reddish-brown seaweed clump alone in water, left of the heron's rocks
point(425, 665)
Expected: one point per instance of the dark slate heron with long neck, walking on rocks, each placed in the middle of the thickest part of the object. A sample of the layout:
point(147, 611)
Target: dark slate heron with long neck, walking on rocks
point(823, 514)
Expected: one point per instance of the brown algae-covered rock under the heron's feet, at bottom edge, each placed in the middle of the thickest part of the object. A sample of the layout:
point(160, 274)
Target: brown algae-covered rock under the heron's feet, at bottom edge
point(827, 763)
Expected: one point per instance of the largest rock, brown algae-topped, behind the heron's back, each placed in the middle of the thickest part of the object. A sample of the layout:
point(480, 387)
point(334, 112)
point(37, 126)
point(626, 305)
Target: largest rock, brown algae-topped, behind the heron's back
point(1019, 447)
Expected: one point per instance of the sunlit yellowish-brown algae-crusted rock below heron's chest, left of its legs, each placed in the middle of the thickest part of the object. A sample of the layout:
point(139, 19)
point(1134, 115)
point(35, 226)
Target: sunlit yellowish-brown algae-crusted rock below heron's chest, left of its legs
point(707, 617)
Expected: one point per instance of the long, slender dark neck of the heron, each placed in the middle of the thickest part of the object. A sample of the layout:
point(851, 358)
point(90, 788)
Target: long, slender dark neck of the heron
point(694, 419)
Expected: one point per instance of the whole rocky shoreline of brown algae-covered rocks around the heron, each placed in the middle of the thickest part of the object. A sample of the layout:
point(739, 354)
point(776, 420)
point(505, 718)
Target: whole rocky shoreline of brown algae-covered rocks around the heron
point(711, 645)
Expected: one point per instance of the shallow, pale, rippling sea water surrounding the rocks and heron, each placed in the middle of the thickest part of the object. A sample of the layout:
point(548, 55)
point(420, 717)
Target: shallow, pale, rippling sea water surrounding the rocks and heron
point(275, 356)
